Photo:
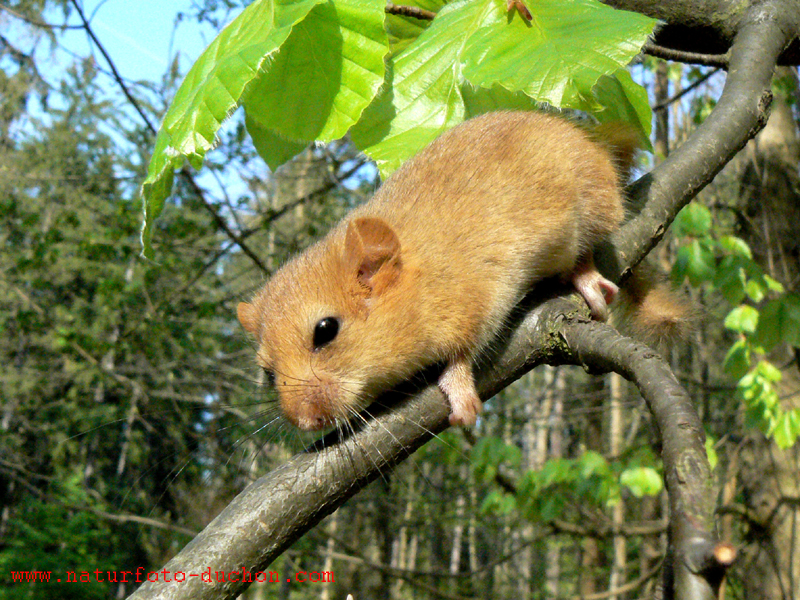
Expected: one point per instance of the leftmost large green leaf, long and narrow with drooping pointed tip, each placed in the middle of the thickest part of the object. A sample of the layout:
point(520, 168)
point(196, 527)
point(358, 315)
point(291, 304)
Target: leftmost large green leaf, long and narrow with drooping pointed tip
point(211, 91)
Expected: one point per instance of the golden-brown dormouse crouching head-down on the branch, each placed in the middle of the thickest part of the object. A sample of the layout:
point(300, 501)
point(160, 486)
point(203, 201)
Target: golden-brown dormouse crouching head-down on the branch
point(430, 267)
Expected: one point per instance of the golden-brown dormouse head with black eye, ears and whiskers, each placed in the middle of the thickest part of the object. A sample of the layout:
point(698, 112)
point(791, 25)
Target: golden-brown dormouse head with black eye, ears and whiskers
point(324, 324)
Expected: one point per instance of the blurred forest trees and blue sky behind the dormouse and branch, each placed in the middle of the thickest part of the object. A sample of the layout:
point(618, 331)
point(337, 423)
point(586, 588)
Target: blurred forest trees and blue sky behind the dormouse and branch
point(131, 410)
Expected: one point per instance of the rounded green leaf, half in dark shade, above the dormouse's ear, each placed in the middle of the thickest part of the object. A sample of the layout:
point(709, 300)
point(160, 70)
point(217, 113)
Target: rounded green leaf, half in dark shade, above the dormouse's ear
point(327, 72)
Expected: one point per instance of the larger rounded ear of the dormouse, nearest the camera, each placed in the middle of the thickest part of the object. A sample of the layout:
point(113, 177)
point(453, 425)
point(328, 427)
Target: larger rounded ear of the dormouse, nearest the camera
point(372, 251)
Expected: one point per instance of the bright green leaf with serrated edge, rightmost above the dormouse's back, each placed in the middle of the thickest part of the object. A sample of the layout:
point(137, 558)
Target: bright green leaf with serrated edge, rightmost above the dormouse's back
point(557, 57)
